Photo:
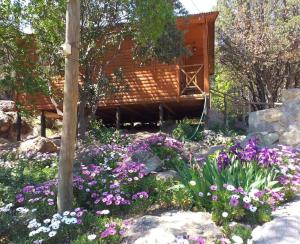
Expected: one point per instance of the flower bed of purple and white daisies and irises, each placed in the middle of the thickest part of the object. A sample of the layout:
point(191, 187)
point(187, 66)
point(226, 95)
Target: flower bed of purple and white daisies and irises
point(236, 184)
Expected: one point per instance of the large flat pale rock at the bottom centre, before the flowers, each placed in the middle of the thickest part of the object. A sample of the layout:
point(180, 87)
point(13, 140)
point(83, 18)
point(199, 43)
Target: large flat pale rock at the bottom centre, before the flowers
point(165, 228)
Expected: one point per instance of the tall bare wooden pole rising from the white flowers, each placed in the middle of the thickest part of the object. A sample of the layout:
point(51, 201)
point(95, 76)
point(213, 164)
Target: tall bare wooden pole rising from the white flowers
point(65, 173)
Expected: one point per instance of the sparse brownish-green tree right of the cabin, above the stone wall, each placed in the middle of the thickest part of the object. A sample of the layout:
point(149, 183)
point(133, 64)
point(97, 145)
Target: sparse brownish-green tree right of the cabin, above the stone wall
point(258, 47)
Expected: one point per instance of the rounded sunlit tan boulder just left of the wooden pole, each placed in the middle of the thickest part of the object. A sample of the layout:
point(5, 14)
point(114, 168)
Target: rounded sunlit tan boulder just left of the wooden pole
point(38, 144)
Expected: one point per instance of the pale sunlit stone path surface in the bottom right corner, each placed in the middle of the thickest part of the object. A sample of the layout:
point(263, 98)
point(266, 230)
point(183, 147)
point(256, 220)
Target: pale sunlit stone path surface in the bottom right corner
point(283, 229)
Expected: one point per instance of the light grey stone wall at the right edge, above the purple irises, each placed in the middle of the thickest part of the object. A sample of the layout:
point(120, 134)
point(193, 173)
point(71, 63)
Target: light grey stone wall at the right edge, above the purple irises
point(278, 125)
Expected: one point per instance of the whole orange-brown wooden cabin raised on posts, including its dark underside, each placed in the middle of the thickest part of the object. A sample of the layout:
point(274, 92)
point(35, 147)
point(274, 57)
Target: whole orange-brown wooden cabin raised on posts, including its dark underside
point(165, 91)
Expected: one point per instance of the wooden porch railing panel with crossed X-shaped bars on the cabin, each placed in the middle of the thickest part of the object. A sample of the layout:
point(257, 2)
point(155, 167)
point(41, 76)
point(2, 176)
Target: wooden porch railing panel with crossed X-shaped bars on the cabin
point(191, 79)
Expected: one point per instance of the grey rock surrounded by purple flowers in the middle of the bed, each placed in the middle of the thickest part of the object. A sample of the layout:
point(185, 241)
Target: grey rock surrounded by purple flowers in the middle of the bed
point(150, 160)
